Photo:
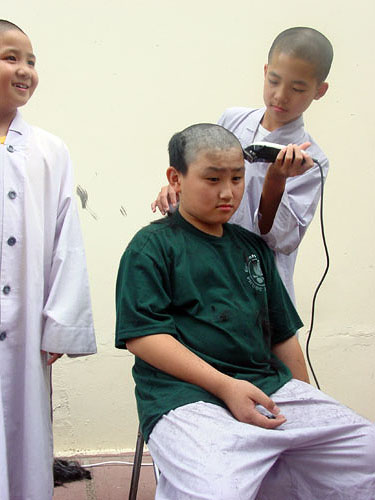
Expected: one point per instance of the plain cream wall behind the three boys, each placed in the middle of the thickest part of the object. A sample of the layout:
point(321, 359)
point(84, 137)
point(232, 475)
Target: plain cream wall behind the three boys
point(117, 78)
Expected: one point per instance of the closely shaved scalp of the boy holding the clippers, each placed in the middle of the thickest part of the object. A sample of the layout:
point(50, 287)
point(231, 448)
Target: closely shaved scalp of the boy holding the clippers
point(307, 44)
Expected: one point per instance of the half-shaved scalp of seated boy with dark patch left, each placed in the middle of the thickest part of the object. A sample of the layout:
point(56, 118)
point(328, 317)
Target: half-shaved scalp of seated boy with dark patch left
point(184, 146)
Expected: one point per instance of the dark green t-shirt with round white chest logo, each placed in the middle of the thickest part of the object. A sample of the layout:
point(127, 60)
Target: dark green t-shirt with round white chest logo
point(221, 297)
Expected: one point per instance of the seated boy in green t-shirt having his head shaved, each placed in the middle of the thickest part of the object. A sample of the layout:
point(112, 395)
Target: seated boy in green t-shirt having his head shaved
point(221, 383)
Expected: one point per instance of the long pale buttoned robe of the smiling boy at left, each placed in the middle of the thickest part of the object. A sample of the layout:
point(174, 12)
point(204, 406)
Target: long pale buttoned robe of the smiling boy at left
point(44, 300)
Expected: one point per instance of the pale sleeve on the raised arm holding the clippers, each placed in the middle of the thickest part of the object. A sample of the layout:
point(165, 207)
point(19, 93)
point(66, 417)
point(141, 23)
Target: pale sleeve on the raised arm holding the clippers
point(296, 210)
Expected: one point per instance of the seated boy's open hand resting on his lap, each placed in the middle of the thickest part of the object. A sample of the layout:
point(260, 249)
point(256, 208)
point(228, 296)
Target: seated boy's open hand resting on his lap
point(241, 397)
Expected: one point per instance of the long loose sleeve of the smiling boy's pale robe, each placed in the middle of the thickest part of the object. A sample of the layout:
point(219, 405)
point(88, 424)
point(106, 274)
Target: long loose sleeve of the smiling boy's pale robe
point(68, 317)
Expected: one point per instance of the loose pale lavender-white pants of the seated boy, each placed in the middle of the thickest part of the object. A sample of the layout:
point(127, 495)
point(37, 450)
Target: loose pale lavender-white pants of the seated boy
point(323, 452)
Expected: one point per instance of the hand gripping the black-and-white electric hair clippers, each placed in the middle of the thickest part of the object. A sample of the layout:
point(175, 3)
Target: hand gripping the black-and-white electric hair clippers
point(291, 161)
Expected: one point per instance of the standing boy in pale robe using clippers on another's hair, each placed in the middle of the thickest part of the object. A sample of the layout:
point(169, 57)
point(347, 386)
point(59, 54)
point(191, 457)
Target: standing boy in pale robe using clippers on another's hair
point(279, 203)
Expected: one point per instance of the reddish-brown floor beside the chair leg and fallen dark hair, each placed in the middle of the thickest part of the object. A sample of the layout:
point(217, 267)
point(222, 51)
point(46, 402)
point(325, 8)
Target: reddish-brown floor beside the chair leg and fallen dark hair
point(109, 482)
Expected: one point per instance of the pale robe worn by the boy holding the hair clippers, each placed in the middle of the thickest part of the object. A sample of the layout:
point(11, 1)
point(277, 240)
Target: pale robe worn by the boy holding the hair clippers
point(301, 195)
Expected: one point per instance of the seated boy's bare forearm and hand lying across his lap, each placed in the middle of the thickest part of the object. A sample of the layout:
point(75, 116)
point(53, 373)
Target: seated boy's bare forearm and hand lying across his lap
point(165, 353)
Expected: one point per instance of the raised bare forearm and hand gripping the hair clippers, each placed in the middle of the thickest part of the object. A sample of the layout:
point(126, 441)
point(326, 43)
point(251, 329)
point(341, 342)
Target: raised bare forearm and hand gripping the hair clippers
point(290, 162)
